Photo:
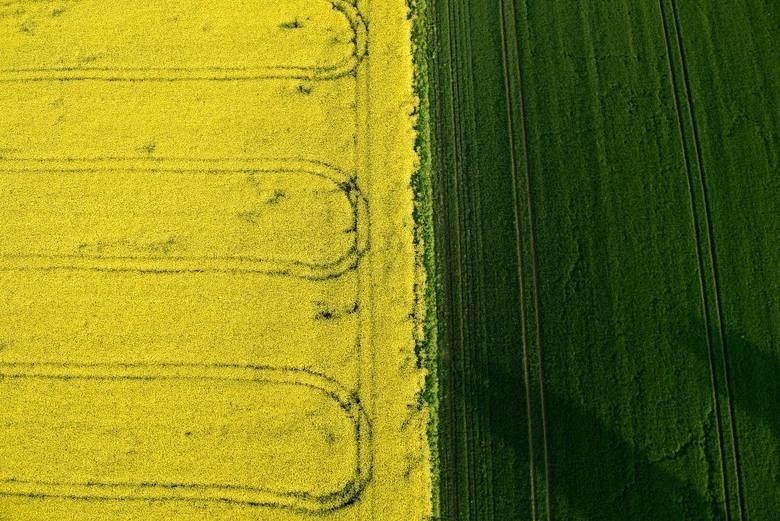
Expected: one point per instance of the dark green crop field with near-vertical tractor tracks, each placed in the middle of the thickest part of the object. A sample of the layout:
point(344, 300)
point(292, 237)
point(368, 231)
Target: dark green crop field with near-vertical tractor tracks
point(607, 235)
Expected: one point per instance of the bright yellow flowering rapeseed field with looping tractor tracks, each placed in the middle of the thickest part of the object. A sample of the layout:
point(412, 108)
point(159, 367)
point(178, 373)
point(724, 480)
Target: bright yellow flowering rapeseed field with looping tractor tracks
point(208, 278)
